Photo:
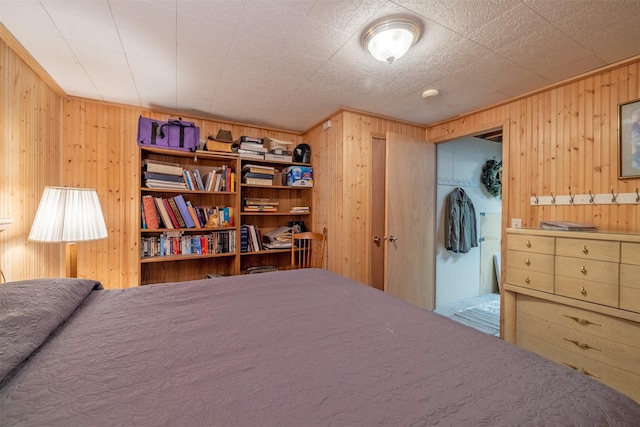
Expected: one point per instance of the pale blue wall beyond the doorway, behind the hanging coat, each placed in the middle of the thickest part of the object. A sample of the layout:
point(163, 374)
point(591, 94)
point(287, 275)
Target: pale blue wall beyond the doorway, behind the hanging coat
point(466, 278)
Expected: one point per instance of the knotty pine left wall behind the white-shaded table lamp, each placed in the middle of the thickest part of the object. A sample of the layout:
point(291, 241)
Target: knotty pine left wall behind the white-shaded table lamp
point(31, 158)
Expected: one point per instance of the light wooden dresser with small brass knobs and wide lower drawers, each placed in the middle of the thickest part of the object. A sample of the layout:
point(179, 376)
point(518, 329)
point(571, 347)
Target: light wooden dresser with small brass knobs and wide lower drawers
point(574, 297)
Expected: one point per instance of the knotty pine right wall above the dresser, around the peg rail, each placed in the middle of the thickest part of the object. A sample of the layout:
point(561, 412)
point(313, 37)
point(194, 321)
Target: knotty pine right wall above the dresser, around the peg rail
point(561, 139)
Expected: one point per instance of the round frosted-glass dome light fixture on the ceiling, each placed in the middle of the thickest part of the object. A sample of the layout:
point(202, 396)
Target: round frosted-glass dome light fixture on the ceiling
point(390, 38)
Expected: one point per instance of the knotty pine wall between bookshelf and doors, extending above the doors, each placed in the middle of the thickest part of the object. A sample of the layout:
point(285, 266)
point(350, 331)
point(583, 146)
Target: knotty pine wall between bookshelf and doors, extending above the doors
point(342, 193)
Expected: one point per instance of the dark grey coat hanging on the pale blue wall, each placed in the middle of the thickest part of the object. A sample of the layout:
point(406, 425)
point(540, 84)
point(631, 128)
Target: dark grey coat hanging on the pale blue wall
point(460, 234)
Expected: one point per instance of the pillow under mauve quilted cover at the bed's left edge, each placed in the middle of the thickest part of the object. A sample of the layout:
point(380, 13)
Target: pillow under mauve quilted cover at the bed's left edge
point(30, 310)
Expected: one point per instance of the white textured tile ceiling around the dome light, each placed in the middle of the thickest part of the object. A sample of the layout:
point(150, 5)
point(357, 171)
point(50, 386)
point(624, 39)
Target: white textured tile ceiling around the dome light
point(288, 64)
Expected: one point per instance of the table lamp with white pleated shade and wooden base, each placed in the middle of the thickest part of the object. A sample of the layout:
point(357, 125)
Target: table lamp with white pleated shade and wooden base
point(68, 215)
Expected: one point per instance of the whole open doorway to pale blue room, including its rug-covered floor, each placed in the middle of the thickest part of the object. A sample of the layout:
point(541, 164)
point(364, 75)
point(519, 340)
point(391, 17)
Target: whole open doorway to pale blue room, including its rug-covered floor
point(467, 275)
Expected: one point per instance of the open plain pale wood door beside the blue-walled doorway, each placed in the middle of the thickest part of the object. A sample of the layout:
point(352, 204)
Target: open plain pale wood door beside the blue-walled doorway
point(410, 224)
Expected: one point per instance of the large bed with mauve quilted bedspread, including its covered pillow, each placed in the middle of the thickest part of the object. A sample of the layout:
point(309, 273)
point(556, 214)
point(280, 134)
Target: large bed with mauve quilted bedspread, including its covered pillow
point(293, 348)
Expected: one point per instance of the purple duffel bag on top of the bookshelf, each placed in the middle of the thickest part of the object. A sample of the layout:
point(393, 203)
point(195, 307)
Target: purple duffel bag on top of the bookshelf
point(172, 134)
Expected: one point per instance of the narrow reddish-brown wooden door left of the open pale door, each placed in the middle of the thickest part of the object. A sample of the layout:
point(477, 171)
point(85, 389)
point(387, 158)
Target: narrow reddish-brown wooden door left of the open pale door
point(378, 212)
